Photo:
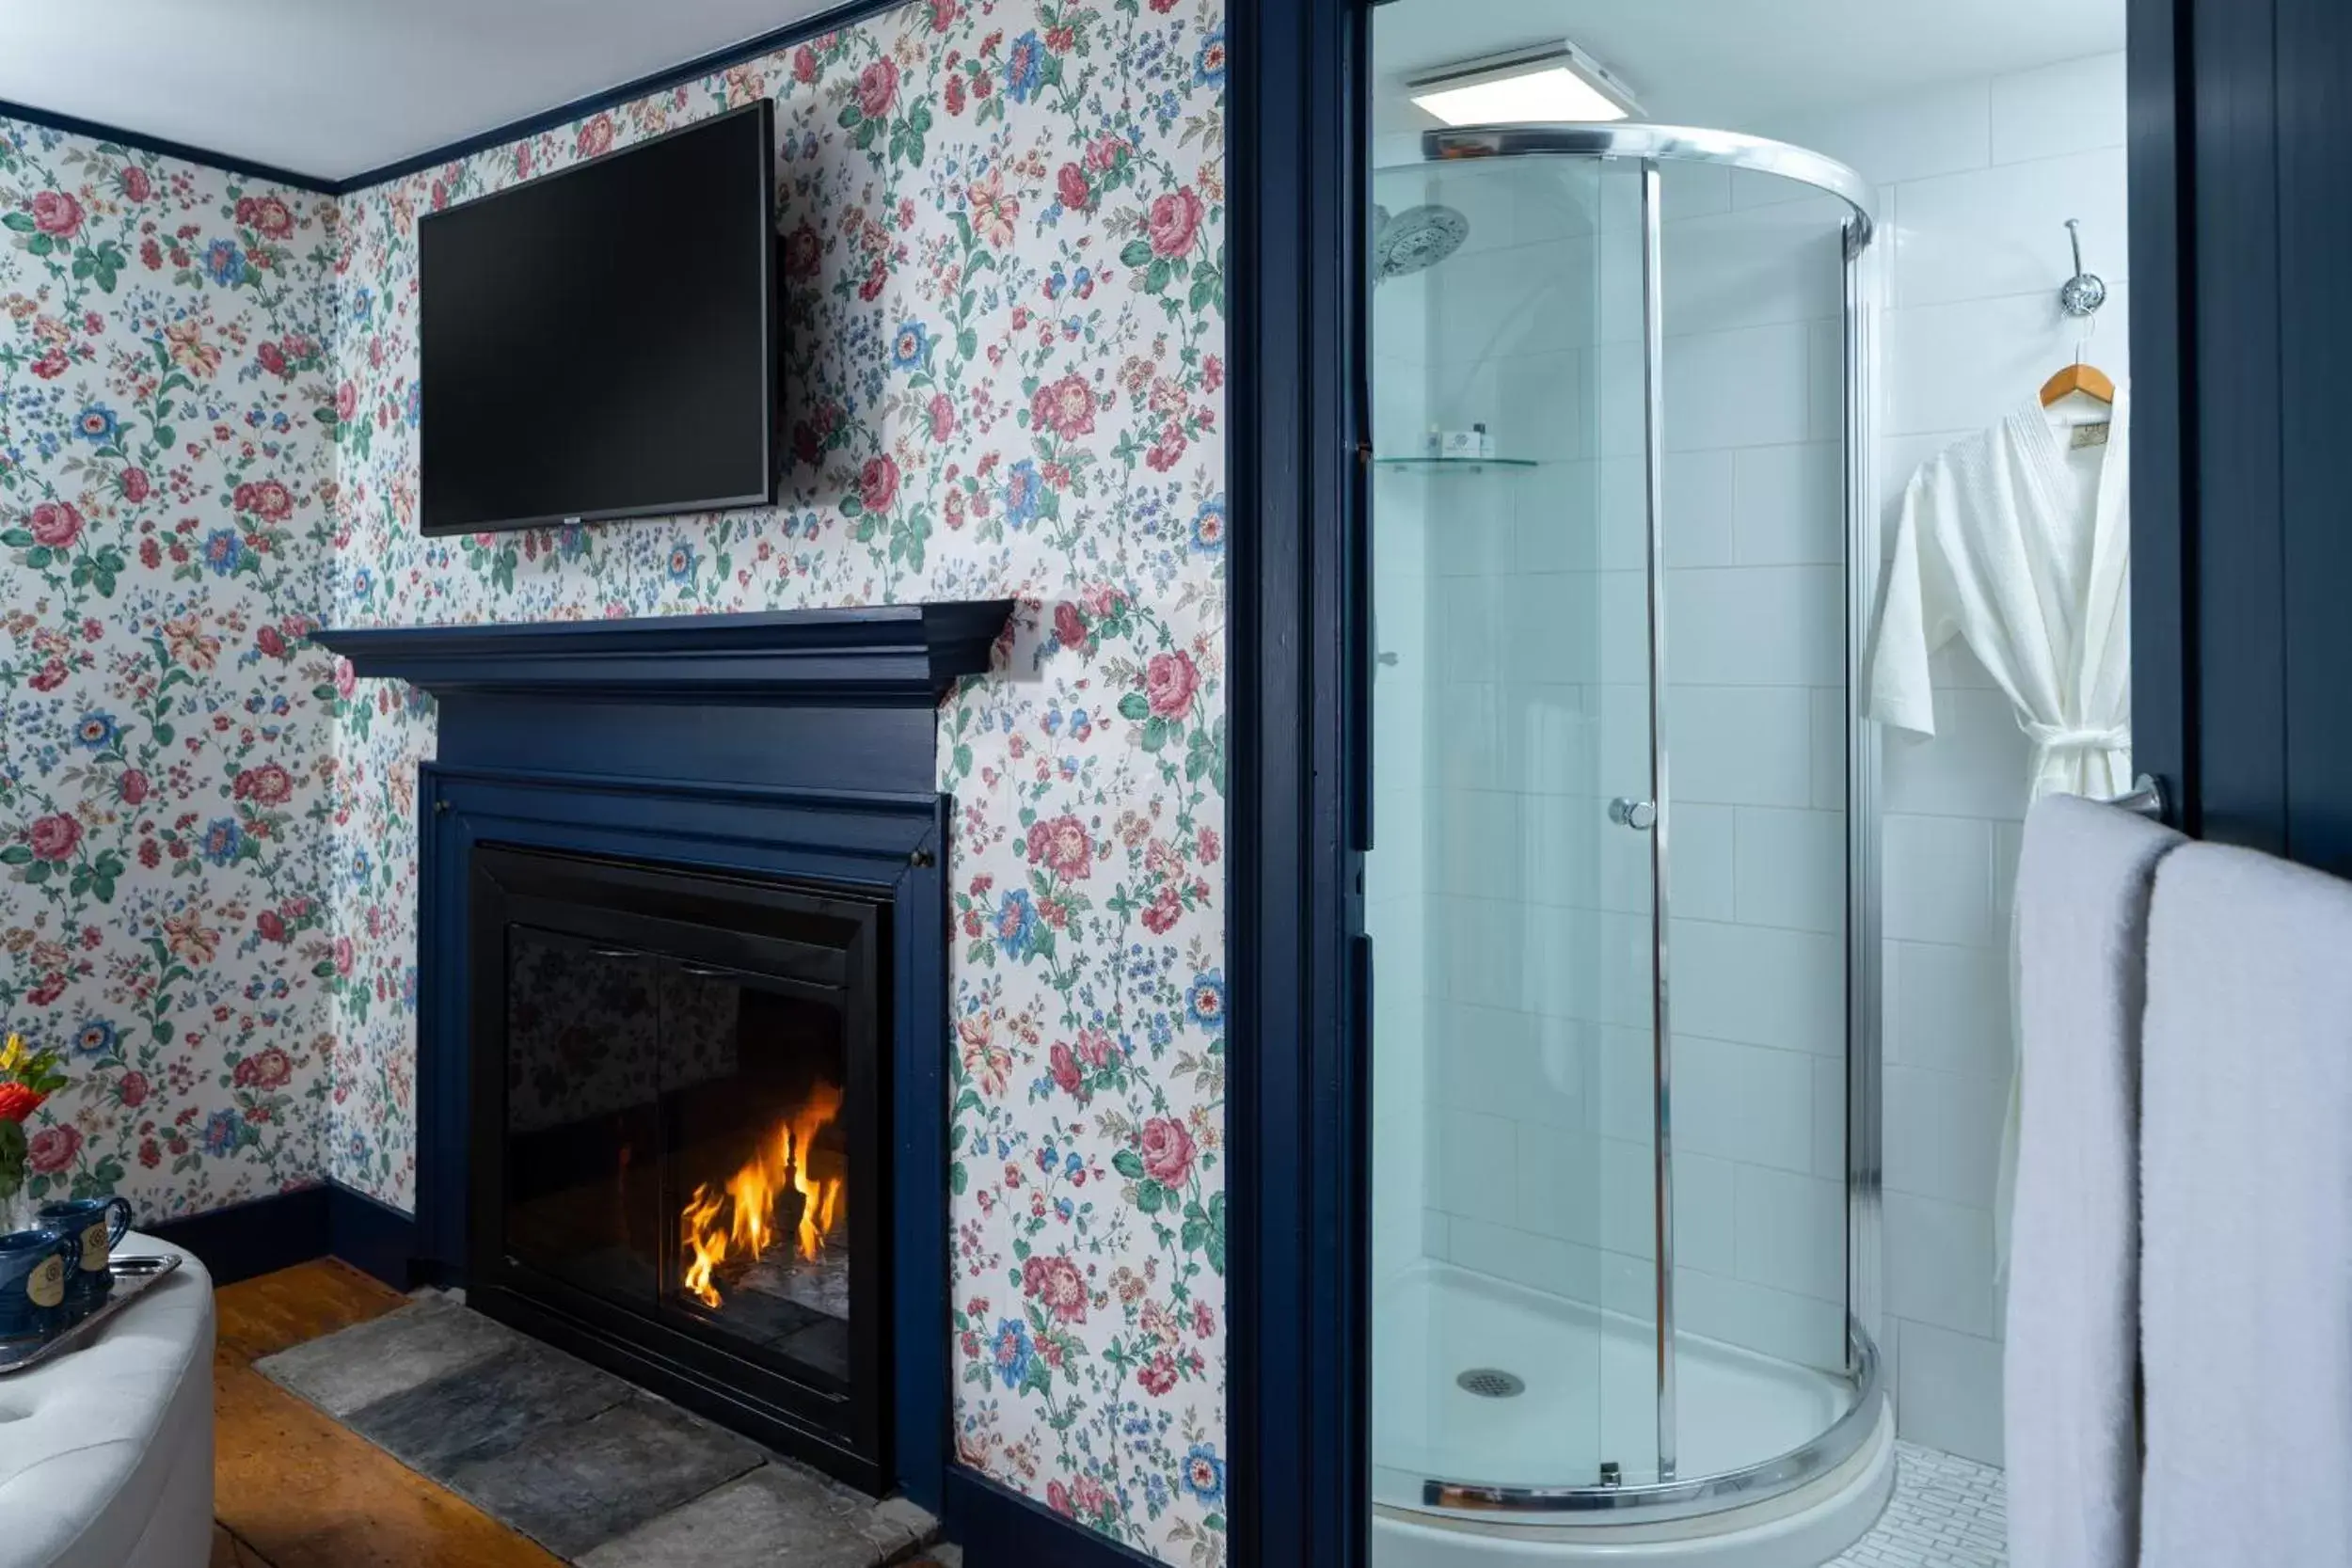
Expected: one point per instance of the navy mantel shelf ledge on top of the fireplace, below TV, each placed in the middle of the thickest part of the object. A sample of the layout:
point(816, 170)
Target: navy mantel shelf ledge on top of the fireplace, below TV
point(883, 657)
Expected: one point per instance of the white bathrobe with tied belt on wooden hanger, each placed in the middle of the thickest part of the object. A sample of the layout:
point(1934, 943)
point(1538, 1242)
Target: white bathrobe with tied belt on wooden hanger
point(2010, 549)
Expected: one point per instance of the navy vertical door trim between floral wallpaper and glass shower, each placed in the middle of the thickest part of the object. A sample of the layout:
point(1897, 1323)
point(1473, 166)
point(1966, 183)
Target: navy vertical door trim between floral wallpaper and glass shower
point(1297, 1174)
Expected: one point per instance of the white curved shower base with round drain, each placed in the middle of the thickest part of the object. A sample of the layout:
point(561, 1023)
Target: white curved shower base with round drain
point(1591, 1398)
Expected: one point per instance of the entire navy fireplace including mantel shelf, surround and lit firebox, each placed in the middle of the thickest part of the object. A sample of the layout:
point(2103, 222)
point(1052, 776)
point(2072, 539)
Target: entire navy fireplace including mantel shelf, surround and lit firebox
point(683, 1007)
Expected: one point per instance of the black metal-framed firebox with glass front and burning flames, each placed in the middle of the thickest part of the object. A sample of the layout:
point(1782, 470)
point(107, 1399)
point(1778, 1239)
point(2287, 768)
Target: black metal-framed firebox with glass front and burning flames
point(679, 1101)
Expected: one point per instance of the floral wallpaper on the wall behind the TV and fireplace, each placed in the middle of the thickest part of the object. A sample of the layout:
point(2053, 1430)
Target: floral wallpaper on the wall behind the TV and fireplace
point(1008, 314)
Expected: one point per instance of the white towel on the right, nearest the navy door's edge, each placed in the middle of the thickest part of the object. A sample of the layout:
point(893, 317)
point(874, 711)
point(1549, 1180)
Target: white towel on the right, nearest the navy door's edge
point(2247, 1217)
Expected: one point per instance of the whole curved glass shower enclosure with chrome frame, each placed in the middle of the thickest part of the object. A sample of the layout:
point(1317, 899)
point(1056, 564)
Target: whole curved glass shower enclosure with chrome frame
point(1626, 974)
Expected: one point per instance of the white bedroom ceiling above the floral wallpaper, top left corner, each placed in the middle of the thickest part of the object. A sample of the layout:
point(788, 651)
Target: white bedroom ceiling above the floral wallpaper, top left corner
point(335, 88)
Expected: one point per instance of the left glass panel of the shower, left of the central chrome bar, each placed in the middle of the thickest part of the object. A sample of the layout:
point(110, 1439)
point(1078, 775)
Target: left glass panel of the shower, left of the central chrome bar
point(1516, 1057)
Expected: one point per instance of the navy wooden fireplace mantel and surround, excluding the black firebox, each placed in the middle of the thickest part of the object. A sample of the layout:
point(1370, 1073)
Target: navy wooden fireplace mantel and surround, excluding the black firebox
point(796, 746)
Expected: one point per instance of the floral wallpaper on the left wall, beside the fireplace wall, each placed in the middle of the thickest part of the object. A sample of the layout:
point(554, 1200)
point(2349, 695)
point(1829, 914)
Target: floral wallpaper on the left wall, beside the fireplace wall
point(166, 749)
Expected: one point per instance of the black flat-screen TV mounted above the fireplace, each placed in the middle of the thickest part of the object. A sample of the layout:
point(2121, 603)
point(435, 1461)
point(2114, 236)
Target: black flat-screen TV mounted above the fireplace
point(603, 342)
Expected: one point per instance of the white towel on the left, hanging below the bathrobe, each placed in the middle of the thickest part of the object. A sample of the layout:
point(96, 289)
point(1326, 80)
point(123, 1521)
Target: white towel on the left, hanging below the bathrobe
point(2071, 1440)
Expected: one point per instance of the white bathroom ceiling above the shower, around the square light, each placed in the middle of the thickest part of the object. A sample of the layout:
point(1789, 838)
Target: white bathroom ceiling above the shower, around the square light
point(1746, 65)
